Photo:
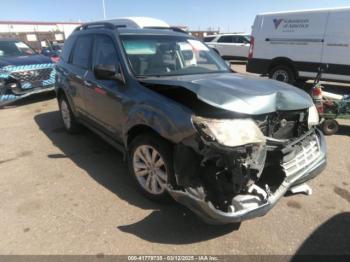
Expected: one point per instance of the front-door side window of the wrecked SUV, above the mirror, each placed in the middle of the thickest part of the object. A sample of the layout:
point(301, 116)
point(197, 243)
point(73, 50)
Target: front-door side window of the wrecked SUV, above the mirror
point(105, 52)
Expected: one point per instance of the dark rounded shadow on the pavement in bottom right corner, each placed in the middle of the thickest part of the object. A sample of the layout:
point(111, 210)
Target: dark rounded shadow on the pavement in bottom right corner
point(331, 238)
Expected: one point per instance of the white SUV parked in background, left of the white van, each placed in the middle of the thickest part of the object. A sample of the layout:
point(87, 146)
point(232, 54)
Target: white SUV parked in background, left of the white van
point(230, 46)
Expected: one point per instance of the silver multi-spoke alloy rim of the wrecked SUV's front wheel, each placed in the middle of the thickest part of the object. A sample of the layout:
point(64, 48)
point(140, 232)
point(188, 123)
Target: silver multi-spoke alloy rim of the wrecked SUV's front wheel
point(150, 170)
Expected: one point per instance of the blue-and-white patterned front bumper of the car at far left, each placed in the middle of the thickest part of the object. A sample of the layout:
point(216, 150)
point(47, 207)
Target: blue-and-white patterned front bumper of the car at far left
point(17, 82)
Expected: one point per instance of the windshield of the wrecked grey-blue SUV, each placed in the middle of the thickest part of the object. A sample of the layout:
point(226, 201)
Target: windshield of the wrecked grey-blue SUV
point(154, 55)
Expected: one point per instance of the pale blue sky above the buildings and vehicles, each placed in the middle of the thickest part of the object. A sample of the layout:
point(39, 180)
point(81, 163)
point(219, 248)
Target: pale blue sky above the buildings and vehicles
point(226, 15)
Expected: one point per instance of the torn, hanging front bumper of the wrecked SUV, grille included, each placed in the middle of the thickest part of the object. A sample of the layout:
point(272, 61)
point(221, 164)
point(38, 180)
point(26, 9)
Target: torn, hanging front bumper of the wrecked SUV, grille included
point(259, 200)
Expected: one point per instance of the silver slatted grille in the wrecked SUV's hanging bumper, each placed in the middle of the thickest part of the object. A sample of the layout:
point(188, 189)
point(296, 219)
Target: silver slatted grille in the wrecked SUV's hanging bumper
point(307, 154)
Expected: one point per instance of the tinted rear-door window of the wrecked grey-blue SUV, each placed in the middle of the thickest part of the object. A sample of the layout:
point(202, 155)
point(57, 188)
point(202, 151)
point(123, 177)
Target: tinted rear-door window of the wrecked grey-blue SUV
point(82, 52)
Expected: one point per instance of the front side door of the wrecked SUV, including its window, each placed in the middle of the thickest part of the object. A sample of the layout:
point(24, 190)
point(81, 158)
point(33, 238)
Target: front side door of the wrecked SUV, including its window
point(104, 97)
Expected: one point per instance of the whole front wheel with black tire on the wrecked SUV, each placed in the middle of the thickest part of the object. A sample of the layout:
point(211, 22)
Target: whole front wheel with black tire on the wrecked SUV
point(150, 162)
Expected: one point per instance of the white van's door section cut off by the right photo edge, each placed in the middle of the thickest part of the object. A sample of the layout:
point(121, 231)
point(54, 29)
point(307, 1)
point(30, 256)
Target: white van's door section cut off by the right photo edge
point(337, 46)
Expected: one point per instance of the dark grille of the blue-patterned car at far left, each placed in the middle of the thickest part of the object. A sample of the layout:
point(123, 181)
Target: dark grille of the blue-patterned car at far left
point(35, 77)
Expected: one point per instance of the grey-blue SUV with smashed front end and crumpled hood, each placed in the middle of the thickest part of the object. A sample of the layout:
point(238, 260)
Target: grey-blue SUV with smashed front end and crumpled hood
point(225, 145)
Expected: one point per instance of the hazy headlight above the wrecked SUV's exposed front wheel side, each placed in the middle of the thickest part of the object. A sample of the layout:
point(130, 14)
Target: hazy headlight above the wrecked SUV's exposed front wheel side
point(231, 133)
